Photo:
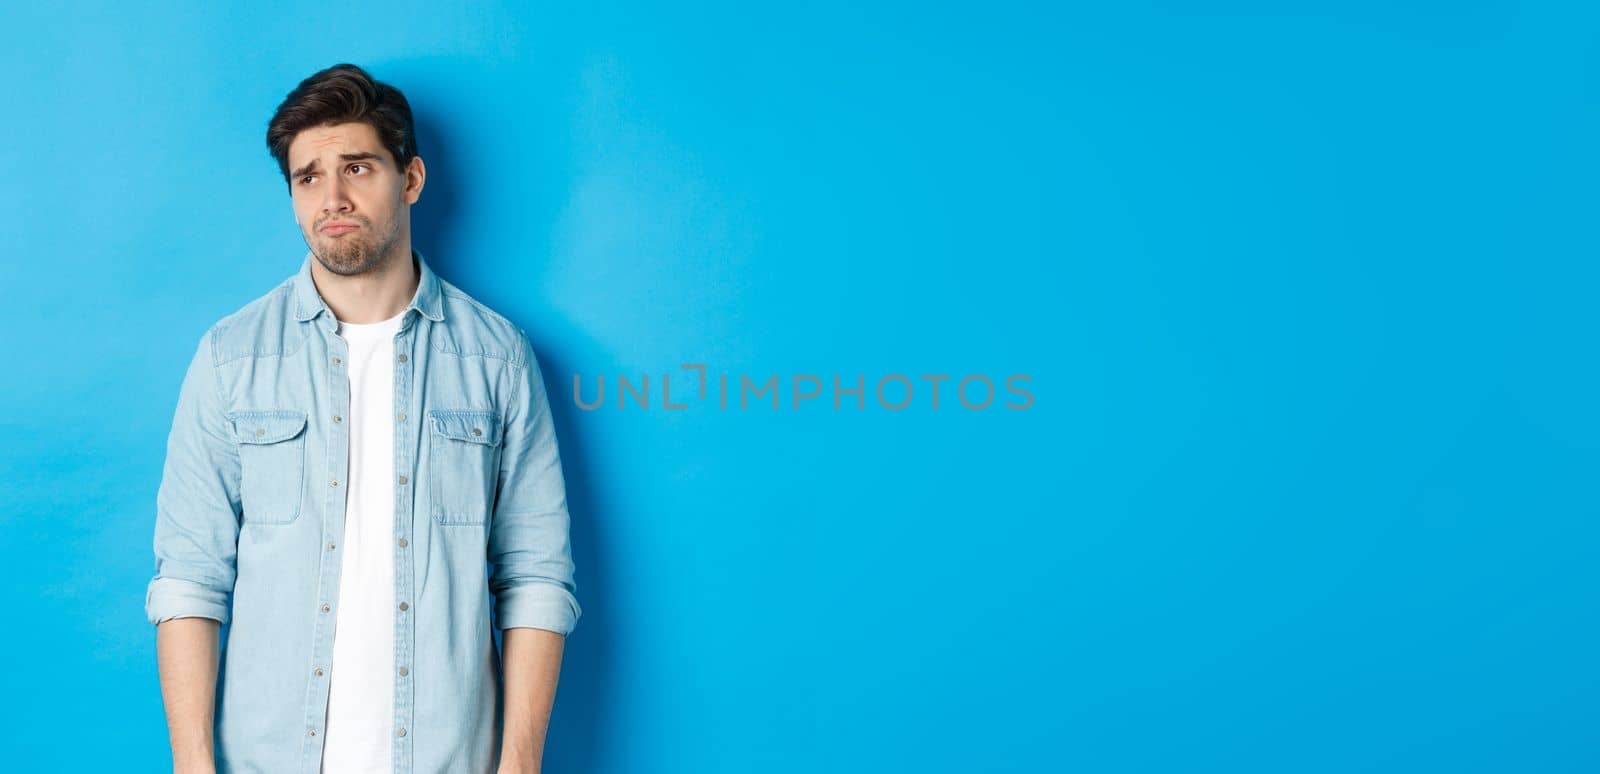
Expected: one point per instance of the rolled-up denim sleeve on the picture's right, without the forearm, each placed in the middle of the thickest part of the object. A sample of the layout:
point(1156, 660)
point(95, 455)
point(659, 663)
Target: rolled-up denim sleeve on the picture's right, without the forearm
point(529, 541)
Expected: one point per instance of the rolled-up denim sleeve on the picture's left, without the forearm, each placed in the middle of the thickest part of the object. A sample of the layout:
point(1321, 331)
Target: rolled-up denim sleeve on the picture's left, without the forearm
point(198, 505)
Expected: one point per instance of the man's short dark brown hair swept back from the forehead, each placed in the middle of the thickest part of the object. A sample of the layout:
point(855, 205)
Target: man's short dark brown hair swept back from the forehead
point(340, 95)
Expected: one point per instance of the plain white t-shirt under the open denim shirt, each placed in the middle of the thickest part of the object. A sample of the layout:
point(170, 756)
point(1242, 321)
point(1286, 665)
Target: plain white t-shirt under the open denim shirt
point(361, 695)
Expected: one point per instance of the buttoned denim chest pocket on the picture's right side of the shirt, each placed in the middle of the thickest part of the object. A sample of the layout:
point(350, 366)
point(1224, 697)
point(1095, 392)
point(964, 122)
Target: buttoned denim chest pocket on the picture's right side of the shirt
point(465, 465)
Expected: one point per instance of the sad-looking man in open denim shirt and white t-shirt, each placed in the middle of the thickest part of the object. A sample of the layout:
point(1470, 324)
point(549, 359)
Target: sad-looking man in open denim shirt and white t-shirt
point(350, 455)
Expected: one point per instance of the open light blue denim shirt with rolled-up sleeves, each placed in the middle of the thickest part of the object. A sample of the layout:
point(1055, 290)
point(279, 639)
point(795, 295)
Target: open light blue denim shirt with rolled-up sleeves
point(250, 521)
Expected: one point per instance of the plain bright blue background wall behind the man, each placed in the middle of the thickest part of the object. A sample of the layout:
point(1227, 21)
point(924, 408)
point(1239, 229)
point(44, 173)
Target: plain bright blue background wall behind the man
point(1306, 293)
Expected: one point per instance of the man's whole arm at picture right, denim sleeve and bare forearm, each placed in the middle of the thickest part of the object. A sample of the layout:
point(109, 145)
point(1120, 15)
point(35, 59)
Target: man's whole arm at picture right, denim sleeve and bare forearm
point(530, 548)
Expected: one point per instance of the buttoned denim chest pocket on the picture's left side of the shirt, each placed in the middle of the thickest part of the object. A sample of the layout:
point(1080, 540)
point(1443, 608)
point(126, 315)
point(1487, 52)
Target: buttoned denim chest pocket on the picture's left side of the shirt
point(271, 465)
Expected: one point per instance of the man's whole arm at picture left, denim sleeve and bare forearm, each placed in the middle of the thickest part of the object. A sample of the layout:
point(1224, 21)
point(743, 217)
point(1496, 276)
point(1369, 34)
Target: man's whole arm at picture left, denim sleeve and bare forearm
point(196, 545)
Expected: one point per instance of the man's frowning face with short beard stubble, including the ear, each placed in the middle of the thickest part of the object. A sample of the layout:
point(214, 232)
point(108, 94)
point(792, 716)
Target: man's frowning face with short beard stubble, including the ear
point(351, 202)
